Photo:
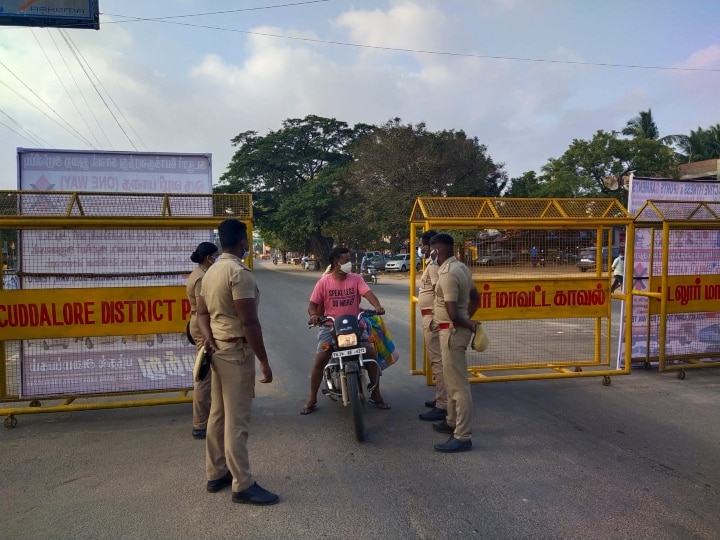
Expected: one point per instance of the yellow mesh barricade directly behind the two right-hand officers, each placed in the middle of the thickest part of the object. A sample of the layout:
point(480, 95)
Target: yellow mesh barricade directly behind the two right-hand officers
point(541, 268)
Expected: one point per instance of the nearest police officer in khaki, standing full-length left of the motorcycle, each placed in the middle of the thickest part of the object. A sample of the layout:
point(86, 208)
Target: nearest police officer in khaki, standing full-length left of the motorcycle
point(228, 319)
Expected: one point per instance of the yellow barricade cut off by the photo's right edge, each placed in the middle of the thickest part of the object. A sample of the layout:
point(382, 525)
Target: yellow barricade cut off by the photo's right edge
point(677, 288)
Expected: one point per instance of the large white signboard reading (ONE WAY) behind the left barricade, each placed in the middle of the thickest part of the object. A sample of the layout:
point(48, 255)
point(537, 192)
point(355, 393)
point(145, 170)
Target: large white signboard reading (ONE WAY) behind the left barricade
point(74, 258)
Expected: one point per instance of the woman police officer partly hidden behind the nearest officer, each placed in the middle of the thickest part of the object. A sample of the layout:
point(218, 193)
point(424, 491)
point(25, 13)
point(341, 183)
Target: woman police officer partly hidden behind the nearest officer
point(204, 255)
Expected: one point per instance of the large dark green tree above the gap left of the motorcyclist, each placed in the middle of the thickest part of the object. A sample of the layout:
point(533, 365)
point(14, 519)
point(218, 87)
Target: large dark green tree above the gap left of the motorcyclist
point(292, 175)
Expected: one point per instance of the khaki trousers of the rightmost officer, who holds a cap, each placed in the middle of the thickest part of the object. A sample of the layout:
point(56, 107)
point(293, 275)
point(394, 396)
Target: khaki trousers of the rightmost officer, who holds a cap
point(454, 343)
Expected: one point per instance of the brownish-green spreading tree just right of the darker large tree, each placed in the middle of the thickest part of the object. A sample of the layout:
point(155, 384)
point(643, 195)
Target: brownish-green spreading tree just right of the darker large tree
point(397, 163)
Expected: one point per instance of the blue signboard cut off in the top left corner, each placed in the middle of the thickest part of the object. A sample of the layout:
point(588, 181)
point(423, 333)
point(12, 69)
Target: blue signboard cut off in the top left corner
point(50, 13)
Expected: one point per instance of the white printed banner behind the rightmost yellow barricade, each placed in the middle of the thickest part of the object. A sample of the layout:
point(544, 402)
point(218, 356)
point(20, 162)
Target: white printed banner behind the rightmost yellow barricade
point(694, 265)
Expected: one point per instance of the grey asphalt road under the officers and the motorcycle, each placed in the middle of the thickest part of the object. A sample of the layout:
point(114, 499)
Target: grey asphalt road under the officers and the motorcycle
point(551, 459)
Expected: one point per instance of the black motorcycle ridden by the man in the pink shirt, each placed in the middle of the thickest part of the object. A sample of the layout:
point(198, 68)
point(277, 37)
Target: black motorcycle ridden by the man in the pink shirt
point(345, 375)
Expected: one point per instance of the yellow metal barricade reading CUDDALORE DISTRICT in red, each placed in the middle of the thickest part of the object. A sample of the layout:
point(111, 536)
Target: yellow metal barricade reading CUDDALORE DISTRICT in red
point(94, 305)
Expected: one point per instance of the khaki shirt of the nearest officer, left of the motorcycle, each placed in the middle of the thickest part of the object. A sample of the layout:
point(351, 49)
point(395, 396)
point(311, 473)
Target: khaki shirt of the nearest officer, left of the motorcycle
point(227, 280)
